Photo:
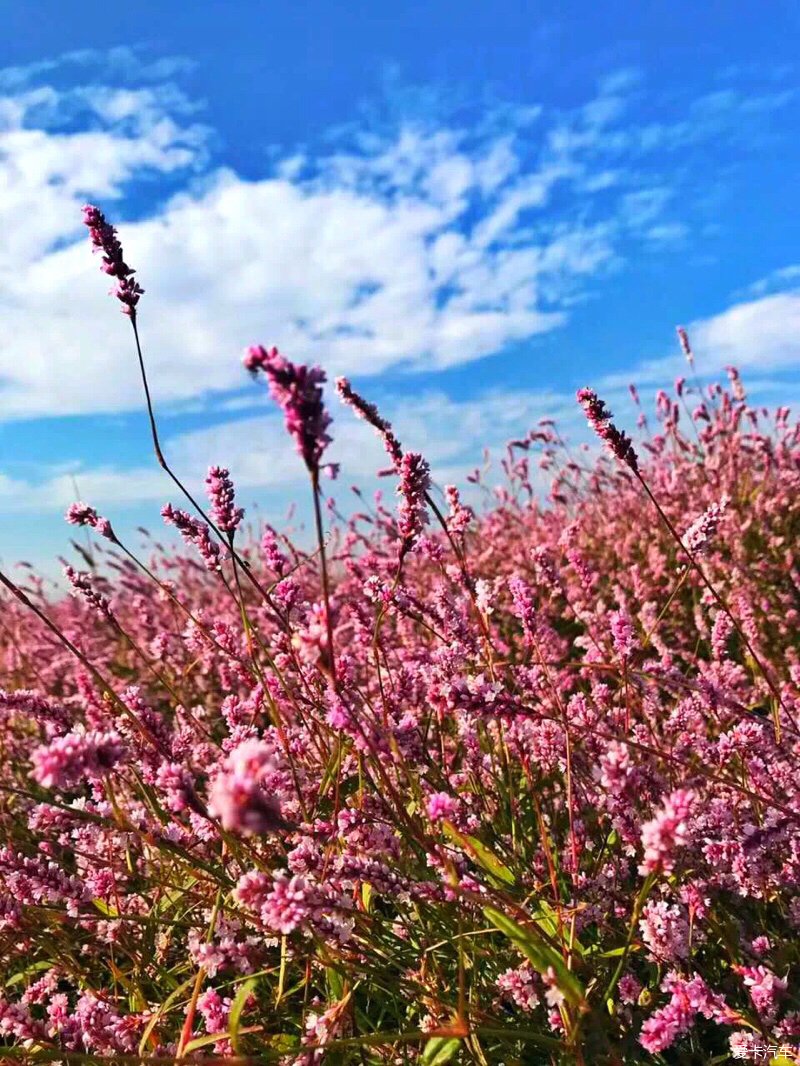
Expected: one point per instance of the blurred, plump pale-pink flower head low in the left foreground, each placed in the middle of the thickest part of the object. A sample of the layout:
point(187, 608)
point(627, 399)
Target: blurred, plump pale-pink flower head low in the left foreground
point(237, 796)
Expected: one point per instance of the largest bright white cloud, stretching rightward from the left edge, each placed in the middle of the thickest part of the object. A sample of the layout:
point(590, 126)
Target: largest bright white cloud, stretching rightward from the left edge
point(422, 251)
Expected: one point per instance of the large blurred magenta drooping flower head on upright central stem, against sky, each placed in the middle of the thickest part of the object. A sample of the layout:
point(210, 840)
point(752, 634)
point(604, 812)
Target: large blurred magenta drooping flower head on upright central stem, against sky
point(298, 392)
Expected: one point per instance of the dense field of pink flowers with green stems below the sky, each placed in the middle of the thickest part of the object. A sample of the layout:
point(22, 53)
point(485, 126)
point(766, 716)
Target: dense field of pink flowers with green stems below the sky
point(511, 783)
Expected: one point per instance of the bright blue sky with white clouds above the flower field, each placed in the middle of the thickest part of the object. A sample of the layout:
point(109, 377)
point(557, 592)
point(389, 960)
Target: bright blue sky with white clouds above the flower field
point(471, 209)
